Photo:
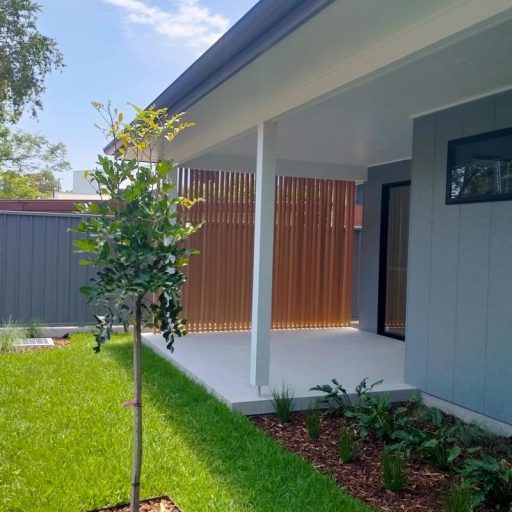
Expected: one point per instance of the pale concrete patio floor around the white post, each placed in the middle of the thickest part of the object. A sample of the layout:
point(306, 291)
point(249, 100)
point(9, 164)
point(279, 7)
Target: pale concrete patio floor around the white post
point(299, 358)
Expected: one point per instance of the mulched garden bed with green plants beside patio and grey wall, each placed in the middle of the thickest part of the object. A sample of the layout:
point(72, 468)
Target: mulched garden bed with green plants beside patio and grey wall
point(470, 468)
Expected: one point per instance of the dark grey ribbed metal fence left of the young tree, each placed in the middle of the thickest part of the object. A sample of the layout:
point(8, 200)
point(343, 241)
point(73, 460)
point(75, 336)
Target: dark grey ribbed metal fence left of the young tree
point(40, 276)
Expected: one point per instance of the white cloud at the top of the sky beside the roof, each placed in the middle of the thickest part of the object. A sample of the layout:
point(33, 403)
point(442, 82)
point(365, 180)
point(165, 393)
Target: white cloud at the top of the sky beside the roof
point(188, 22)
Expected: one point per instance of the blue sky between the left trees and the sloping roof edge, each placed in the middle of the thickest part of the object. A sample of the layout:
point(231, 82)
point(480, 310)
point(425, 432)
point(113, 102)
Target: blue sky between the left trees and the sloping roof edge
point(123, 51)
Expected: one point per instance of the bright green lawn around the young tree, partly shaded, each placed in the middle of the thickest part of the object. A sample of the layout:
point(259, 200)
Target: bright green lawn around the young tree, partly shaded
point(65, 440)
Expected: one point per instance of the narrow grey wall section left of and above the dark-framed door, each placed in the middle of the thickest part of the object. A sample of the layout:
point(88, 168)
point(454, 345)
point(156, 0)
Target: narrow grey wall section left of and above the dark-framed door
point(370, 243)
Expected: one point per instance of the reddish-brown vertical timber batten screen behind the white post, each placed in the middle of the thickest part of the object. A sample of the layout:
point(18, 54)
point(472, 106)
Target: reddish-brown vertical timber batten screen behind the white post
point(313, 238)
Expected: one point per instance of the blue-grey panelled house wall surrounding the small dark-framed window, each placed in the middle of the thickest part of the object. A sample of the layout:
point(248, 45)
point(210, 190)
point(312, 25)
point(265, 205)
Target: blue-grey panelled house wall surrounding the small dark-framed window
point(459, 297)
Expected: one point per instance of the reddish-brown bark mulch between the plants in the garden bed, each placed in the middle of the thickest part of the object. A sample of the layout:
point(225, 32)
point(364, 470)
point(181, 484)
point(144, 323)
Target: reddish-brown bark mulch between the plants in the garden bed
point(426, 487)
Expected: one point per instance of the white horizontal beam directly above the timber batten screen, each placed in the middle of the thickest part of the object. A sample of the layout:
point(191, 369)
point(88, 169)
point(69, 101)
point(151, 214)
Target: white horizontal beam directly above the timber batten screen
point(295, 168)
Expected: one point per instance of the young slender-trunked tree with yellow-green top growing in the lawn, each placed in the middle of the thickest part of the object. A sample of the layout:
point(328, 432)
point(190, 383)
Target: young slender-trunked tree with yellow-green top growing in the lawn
point(136, 241)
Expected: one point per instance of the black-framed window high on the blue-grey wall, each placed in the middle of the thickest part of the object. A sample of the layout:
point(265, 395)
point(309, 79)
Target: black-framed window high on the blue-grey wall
point(480, 168)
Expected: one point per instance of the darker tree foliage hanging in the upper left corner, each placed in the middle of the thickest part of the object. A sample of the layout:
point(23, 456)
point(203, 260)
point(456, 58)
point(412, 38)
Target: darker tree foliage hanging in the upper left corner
point(26, 58)
